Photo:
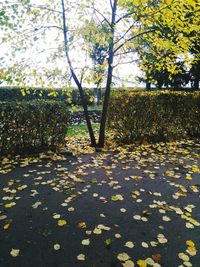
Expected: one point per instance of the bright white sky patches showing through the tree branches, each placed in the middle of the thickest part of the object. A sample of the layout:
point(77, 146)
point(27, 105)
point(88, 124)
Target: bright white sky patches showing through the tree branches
point(38, 56)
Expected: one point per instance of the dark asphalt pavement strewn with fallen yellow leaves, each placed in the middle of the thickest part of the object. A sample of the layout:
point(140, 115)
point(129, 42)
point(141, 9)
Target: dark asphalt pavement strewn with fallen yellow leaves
point(131, 207)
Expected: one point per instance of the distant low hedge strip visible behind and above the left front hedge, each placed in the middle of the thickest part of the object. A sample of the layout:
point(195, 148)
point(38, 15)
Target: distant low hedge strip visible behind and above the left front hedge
point(20, 94)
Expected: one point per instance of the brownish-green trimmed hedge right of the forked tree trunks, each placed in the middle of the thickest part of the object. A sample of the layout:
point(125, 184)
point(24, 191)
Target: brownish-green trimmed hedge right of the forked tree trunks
point(154, 116)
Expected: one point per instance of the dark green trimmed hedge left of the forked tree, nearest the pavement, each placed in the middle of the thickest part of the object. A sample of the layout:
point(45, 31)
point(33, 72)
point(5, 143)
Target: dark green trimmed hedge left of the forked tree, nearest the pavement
point(30, 126)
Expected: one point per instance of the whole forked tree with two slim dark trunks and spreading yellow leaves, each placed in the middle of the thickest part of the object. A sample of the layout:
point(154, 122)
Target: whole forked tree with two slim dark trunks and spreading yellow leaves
point(56, 35)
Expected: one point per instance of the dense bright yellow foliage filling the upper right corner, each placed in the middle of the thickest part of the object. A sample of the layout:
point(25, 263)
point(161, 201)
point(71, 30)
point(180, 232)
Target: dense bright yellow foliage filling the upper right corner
point(171, 28)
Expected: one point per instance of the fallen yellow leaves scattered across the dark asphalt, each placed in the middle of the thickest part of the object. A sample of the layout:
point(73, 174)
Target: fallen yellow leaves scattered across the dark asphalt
point(132, 181)
